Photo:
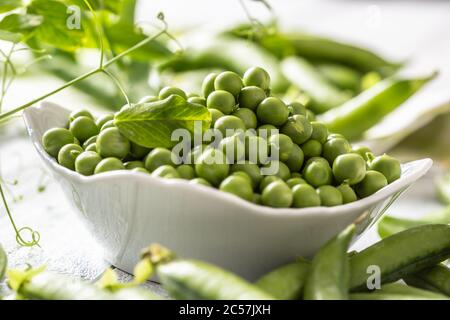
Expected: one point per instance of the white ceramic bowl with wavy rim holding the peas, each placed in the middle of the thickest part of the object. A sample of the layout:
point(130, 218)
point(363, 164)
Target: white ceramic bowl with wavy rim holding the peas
point(127, 211)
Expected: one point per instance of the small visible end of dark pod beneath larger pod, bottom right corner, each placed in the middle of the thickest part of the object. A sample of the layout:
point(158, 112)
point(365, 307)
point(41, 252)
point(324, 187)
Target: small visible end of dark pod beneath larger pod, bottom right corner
point(435, 279)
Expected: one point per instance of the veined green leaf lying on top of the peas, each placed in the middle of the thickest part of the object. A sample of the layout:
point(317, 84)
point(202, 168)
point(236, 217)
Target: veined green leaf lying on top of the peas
point(151, 124)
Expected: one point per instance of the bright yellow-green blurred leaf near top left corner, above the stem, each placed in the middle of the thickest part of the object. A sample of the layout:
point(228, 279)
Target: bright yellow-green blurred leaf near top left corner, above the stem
point(54, 29)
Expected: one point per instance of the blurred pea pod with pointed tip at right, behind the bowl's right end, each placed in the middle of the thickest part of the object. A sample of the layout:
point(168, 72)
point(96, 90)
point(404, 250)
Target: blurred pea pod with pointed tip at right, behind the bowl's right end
point(360, 113)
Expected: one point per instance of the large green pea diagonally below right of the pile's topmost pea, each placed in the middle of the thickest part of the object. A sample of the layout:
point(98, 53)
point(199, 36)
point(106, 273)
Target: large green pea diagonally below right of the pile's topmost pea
point(272, 111)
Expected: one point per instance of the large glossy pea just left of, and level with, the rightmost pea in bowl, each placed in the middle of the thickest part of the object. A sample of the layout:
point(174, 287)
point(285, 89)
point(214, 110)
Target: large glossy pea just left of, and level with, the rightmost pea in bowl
point(350, 168)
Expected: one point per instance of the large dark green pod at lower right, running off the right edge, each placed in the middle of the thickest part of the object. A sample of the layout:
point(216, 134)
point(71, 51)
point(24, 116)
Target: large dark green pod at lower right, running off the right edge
point(401, 254)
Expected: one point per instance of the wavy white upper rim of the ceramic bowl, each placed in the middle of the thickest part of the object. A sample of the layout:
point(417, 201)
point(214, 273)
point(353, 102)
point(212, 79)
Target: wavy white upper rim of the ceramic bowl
point(420, 169)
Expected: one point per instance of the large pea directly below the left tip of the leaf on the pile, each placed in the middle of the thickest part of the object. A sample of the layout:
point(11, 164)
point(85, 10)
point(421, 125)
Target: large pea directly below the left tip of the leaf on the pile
point(111, 143)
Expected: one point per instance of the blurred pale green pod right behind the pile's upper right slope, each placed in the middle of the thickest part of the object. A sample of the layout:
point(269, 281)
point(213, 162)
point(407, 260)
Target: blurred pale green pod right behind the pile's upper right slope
point(324, 96)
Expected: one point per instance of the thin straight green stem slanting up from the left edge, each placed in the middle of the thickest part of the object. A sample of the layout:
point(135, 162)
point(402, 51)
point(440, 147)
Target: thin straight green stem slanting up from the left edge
point(86, 75)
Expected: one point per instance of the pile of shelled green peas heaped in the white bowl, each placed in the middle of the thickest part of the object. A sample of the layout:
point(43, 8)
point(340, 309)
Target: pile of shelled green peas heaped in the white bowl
point(315, 167)
